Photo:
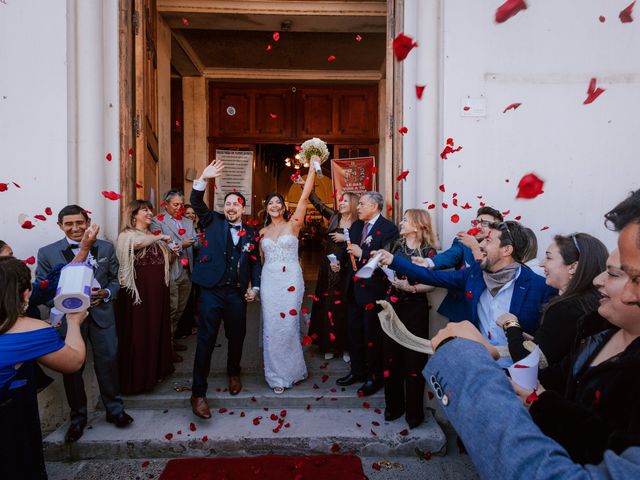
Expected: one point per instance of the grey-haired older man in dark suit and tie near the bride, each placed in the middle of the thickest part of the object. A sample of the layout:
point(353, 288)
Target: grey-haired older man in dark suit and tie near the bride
point(370, 232)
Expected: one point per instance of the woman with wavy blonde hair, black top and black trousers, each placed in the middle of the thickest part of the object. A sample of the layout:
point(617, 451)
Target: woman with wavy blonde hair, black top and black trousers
point(403, 380)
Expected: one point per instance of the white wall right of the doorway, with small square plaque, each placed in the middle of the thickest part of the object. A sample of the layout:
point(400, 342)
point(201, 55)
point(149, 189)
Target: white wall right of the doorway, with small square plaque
point(543, 58)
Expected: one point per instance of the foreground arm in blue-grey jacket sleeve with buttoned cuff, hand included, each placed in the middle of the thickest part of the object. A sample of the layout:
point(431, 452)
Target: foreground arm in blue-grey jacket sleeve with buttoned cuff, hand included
point(498, 432)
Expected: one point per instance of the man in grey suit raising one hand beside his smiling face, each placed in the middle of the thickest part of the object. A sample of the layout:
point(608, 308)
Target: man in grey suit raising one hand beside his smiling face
point(100, 325)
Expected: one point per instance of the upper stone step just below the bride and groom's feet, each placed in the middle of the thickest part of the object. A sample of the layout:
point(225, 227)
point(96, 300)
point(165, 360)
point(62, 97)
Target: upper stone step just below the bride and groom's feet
point(320, 390)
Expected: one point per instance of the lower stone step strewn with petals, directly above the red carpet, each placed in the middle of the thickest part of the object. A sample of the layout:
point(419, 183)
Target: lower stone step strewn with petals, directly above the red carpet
point(174, 433)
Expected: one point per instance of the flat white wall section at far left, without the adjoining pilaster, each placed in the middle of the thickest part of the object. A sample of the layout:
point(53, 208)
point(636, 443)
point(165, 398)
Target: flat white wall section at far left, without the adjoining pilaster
point(33, 118)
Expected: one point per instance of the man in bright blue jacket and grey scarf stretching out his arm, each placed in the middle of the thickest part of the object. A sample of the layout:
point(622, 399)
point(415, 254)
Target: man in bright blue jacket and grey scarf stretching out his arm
point(497, 284)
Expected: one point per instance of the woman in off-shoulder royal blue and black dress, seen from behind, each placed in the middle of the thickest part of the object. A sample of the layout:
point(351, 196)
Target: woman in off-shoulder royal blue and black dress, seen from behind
point(23, 342)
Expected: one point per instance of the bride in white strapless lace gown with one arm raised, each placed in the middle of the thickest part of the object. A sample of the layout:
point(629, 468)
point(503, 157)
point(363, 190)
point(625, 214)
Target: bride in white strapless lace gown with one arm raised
point(282, 290)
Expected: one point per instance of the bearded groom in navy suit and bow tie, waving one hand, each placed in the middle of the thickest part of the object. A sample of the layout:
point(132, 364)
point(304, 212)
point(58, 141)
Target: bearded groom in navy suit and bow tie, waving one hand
point(228, 257)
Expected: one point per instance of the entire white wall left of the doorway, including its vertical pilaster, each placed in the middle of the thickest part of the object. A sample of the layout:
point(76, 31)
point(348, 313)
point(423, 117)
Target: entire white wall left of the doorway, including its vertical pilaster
point(58, 114)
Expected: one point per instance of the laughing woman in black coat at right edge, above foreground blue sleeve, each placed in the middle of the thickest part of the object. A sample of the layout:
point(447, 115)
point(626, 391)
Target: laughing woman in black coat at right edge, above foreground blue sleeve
point(591, 401)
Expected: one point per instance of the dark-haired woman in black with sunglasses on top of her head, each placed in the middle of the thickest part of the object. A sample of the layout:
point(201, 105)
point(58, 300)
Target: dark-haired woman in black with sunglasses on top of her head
point(570, 264)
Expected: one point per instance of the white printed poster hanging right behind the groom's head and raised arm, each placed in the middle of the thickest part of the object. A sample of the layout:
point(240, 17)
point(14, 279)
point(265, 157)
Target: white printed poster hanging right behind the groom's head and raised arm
point(236, 176)
